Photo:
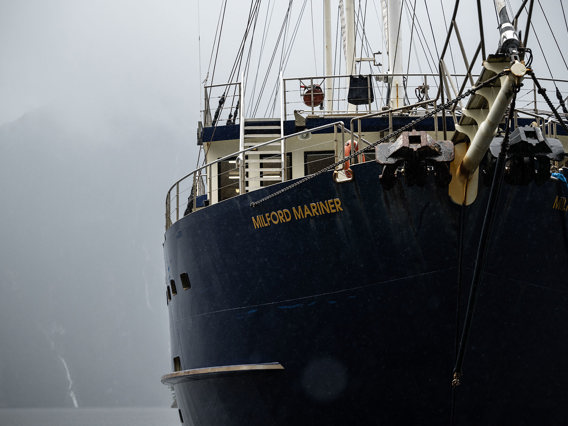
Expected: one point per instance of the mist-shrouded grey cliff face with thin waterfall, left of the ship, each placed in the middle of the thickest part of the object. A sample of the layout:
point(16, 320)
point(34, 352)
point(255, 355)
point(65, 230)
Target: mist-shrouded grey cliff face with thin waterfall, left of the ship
point(83, 317)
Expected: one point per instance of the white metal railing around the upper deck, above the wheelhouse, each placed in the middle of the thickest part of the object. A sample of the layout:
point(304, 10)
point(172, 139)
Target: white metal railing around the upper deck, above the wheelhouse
point(222, 101)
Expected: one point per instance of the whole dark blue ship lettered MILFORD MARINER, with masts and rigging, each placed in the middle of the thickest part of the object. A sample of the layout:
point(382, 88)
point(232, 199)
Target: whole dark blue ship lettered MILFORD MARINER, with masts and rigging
point(389, 247)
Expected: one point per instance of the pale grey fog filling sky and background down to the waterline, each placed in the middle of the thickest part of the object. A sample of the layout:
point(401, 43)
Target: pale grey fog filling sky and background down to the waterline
point(99, 103)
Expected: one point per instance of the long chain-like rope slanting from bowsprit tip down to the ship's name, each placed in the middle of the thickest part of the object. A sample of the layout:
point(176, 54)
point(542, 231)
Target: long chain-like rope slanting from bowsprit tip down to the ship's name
point(392, 135)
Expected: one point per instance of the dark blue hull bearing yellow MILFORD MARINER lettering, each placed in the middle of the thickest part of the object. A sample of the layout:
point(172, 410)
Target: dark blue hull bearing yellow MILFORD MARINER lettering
point(361, 305)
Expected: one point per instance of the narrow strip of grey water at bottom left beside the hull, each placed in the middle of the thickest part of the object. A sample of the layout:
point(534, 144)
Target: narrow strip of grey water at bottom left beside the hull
point(89, 417)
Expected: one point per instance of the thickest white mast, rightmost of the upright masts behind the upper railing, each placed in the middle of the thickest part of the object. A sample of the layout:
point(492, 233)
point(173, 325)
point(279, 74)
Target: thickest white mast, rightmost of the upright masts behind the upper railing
point(392, 13)
